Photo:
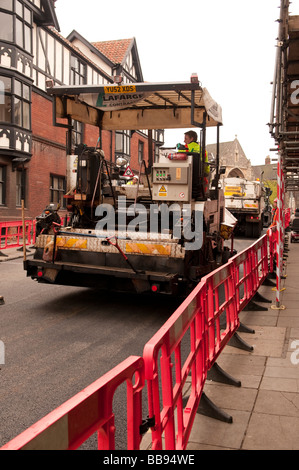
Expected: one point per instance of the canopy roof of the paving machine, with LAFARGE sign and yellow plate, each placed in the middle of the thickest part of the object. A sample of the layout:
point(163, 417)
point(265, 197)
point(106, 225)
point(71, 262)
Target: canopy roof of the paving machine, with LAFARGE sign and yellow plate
point(136, 106)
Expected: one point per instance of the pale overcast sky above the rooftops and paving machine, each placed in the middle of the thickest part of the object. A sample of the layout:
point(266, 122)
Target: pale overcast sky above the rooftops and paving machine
point(230, 44)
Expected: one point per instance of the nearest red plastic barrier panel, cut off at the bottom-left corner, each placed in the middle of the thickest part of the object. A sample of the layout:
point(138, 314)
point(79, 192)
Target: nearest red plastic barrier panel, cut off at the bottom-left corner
point(90, 411)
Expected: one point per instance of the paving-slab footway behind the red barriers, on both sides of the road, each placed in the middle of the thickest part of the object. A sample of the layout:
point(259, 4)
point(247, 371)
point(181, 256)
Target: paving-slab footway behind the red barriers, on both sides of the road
point(264, 406)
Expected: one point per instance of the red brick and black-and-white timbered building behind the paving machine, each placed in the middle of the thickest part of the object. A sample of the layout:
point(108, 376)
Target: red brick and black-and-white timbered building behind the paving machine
point(33, 149)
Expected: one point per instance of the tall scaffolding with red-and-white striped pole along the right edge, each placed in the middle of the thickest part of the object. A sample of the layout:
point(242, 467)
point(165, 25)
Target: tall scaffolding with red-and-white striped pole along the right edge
point(284, 120)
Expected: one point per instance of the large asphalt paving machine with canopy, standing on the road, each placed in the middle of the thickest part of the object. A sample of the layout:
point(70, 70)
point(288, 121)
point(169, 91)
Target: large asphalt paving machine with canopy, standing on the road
point(158, 236)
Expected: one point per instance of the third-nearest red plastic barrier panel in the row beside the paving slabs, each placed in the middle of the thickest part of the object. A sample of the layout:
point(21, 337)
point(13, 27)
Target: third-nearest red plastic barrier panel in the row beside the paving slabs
point(221, 309)
